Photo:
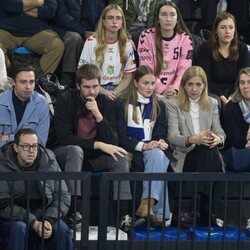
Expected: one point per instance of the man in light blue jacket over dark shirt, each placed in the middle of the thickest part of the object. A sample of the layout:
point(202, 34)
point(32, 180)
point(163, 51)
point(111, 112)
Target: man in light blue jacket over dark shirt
point(22, 107)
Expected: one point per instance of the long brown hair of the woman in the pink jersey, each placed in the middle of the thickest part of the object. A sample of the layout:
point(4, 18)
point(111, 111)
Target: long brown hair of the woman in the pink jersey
point(180, 27)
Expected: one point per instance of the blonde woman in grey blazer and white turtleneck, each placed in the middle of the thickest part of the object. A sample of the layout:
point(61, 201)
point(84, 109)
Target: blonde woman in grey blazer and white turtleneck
point(194, 129)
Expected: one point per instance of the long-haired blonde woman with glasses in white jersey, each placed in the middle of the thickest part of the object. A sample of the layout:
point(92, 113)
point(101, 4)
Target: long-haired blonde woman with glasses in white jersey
point(112, 51)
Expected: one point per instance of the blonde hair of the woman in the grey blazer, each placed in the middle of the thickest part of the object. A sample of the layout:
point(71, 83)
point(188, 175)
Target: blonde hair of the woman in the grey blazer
point(182, 97)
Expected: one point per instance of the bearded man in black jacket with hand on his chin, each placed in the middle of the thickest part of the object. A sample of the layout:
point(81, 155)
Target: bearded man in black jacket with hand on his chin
point(86, 118)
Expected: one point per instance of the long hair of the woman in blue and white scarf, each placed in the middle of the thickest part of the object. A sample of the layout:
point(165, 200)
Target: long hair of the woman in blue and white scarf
point(130, 96)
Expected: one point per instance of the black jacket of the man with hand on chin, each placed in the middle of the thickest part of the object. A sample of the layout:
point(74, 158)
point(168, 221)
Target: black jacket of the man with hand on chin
point(69, 108)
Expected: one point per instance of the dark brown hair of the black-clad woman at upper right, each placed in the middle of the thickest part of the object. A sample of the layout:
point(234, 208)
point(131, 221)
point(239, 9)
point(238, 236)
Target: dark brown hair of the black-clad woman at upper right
point(233, 48)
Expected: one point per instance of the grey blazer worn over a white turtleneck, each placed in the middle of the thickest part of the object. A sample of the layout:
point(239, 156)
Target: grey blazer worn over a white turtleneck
point(180, 126)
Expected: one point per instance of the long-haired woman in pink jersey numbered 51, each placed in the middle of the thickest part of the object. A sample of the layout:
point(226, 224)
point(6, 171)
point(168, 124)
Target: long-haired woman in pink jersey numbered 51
point(167, 48)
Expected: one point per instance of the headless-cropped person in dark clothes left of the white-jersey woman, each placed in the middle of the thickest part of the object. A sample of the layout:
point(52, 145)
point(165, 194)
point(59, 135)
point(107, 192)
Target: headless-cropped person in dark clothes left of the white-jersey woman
point(75, 21)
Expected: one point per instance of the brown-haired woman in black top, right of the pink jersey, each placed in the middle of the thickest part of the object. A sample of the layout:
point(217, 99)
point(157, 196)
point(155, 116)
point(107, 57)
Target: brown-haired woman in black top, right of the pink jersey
point(223, 56)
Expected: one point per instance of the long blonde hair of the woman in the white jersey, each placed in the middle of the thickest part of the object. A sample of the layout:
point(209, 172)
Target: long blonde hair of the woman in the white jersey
point(101, 45)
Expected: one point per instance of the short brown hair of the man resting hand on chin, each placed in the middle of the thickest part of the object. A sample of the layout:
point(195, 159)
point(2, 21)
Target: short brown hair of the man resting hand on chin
point(88, 72)
